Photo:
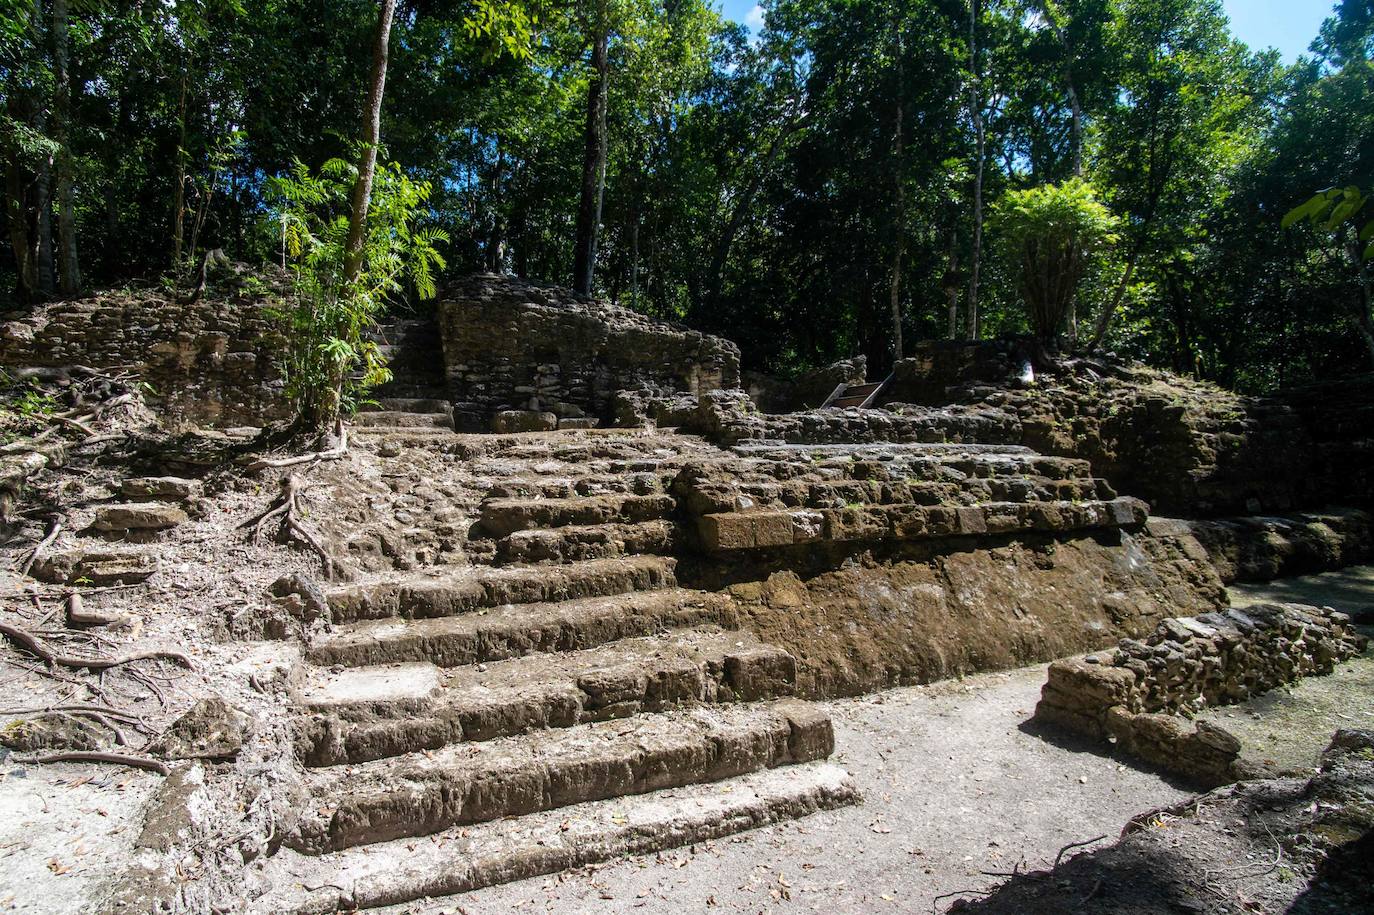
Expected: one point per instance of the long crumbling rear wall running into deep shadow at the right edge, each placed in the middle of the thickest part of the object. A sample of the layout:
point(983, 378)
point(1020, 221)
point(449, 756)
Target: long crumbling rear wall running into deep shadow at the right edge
point(1189, 449)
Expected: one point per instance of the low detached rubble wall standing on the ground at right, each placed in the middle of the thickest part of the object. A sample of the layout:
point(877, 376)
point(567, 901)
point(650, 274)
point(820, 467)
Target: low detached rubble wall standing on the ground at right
point(1140, 693)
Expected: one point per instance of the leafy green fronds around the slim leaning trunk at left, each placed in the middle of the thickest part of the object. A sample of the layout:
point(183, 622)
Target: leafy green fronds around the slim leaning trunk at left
point(330, 362)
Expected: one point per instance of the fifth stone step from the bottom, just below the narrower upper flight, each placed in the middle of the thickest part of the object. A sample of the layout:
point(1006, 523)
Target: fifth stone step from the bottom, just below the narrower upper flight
point(443, 596)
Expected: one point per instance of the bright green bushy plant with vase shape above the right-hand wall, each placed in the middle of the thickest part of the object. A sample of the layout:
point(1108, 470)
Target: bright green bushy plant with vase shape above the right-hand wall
point(1053, 236)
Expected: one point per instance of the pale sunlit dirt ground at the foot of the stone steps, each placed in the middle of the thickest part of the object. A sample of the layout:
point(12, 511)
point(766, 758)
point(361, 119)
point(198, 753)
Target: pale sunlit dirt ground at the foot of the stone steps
point(956, 789)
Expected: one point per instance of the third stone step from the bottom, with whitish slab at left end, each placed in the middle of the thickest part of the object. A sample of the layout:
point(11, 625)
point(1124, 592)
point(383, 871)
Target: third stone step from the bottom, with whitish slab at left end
point(368, 714)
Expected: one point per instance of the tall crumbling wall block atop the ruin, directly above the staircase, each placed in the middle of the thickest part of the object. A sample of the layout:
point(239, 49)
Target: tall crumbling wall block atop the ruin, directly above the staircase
point(512, 346)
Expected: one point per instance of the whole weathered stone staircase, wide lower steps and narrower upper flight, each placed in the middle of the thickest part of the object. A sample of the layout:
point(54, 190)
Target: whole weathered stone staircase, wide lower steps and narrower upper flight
point(559, 701)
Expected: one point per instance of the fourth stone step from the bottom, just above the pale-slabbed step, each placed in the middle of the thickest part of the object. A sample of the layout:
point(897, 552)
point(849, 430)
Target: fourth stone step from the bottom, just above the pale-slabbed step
point(510, 633)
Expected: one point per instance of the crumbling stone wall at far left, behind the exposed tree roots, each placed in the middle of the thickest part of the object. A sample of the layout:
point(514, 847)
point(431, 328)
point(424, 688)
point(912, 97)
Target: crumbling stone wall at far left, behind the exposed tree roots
point(211, 363)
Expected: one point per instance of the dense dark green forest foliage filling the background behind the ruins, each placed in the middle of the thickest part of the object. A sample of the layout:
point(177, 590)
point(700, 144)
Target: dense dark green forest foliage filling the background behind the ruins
point(752, 181)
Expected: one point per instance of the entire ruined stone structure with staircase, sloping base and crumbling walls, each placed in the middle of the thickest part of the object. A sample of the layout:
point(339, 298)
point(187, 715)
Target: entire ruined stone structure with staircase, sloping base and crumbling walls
point(560, 644)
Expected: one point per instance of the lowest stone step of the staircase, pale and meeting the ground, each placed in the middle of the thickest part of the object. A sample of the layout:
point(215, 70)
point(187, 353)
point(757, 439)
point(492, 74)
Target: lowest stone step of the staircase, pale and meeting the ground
point(490, 854)
